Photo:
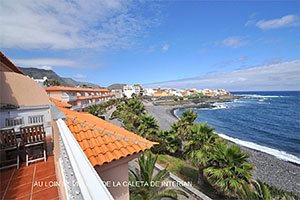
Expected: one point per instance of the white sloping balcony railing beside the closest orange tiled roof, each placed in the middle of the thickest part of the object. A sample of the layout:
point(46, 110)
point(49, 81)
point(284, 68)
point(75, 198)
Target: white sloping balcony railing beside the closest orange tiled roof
point(81, 181)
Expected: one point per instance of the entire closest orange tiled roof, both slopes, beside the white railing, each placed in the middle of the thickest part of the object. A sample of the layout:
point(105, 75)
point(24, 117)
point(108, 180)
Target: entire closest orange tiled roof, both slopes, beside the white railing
point(104, 142)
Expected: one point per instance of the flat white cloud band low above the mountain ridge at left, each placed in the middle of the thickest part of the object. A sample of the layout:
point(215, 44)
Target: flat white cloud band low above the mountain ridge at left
point(45, 63)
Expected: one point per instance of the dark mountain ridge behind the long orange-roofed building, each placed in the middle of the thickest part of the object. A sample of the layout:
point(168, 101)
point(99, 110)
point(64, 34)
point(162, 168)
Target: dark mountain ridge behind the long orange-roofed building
point(40, 73)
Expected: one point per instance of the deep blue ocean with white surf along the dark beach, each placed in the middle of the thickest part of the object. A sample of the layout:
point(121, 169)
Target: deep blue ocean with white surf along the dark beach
point(265, 121)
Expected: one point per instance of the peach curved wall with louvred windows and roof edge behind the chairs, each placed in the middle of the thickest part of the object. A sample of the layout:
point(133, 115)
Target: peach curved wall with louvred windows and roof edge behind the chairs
point(19, 105)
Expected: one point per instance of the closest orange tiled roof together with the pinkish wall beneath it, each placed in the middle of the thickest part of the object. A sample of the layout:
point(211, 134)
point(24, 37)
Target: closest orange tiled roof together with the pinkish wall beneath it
point(108, 147)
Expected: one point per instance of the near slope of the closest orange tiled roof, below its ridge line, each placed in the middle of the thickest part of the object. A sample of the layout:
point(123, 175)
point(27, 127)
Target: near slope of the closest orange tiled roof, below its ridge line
point(102, 148)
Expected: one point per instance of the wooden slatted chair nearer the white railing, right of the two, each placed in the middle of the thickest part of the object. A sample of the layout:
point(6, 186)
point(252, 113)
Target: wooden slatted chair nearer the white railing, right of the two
point(34, 138)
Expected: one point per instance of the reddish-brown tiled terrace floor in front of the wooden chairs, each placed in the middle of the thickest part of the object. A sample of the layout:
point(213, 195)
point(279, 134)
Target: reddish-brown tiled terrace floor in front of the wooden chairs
point(37, 181)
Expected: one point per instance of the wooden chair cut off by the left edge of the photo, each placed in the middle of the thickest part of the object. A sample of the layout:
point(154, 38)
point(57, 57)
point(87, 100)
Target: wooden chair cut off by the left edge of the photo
point(9, 144)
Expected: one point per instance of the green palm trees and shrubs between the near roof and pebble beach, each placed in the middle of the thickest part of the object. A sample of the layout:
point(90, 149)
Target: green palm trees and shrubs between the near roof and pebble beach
point(215, 163)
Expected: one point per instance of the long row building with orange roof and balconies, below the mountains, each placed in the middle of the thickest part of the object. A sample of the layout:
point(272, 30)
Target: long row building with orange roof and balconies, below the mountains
point(79, 98)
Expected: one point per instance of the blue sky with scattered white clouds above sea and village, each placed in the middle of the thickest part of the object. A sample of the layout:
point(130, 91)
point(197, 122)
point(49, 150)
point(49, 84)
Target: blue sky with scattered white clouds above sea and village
point(208, 44)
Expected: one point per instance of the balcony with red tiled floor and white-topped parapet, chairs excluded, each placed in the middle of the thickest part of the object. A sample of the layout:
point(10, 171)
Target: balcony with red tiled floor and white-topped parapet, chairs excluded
point(66, 174)
